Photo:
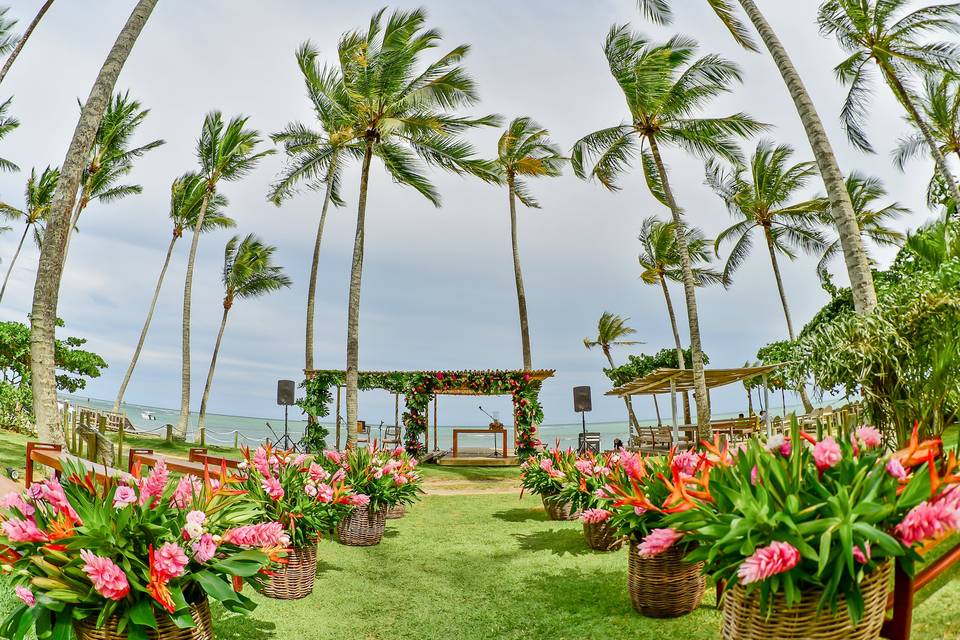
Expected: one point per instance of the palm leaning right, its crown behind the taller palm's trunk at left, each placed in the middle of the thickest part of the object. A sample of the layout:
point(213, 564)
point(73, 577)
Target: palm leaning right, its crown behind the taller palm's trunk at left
point(186, 197)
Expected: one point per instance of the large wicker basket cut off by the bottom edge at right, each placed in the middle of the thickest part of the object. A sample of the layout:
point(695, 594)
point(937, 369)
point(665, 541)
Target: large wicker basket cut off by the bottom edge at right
point(742, 619)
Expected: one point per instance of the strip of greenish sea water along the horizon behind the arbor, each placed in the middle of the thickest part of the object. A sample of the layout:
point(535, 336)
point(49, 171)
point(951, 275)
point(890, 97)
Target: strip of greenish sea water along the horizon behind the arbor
point(249, 430)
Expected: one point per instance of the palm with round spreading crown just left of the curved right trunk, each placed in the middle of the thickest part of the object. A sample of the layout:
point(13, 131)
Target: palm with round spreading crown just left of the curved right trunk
point(761, 198)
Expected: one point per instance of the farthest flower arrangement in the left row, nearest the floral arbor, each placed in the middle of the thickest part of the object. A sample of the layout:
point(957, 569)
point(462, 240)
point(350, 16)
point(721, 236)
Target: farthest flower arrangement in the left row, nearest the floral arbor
point(375, 477)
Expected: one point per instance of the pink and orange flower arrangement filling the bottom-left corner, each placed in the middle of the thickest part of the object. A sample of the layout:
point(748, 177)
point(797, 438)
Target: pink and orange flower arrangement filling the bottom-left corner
point(130, 550)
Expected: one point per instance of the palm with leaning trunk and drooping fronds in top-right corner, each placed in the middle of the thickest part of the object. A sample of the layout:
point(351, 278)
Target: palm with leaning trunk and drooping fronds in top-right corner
point(888, 34)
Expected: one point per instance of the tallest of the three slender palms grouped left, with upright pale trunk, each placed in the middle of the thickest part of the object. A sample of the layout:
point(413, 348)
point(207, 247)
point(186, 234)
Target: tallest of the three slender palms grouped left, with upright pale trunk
point(225, 152)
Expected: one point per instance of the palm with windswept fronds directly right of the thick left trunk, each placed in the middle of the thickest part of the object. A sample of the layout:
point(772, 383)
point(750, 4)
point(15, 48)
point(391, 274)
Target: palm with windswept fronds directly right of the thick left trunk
point(111, 157)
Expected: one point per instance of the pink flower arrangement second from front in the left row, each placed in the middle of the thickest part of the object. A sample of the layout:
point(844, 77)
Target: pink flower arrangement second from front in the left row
point(303, 496)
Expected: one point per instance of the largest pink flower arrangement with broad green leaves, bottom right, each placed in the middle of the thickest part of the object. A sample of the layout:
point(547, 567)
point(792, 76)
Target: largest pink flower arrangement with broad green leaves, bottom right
point(805, 514)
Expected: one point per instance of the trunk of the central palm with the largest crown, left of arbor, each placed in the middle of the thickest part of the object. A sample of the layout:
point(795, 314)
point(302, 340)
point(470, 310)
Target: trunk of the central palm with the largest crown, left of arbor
point(353, 309)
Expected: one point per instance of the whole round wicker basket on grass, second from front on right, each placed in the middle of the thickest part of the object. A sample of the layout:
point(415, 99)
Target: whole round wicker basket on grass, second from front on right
point(665, 586)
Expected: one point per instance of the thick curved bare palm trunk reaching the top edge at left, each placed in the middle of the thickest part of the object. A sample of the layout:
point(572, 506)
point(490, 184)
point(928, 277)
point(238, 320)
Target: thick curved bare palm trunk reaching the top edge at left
point(50, 269)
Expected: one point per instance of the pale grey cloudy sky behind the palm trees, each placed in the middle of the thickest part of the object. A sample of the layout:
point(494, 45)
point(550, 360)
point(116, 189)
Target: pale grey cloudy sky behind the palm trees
point(438, 285)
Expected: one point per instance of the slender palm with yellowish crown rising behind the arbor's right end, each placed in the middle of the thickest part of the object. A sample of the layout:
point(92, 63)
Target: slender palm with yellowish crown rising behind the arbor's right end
point(524, 151)
